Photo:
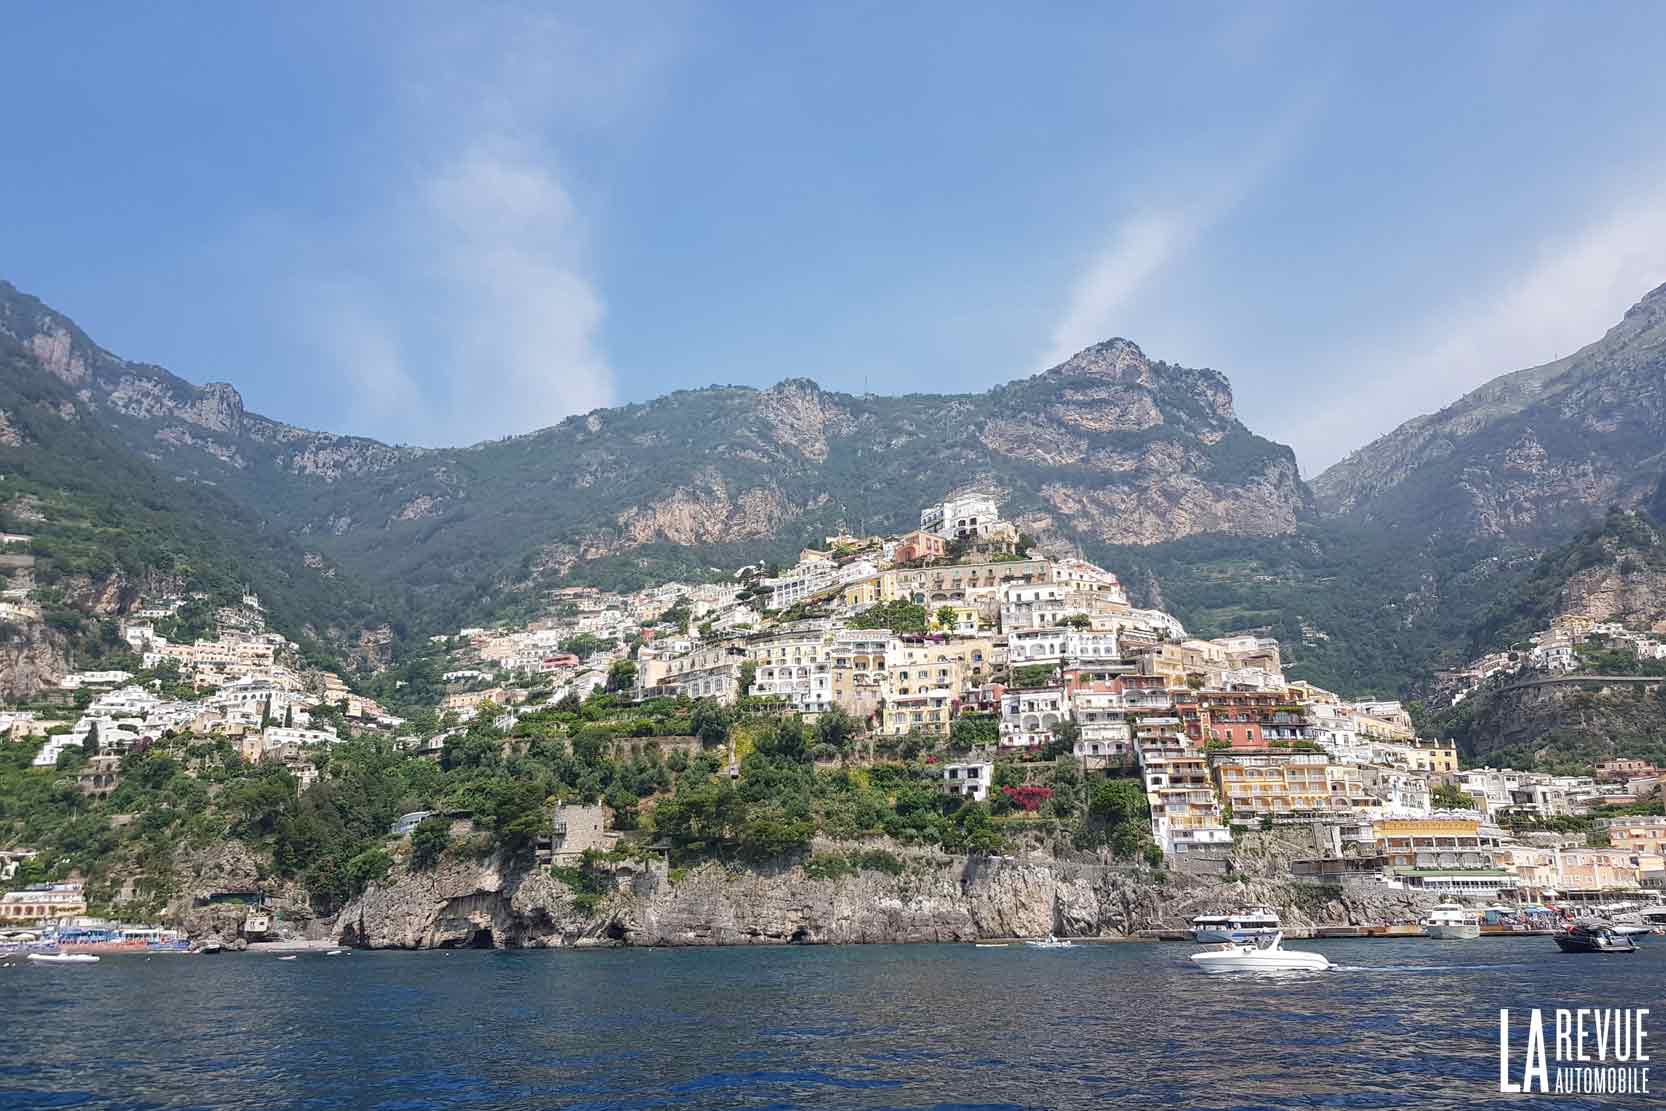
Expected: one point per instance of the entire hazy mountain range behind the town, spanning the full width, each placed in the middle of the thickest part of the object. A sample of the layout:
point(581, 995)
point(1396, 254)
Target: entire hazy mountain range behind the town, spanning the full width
point(1375, 574)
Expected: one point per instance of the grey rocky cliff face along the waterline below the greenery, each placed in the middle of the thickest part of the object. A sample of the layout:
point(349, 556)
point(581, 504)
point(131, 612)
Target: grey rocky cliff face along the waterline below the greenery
point(486, 904)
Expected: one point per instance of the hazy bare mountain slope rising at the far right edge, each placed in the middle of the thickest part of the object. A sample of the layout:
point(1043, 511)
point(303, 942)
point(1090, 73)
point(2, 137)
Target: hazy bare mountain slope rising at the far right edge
point(1529, 457)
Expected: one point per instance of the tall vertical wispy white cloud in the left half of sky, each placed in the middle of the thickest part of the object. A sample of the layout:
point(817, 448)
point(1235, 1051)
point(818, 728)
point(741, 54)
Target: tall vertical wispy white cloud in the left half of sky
point(469, 309)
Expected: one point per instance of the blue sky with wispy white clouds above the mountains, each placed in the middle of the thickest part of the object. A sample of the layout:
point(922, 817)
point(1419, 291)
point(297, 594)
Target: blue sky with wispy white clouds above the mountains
point(439, 224)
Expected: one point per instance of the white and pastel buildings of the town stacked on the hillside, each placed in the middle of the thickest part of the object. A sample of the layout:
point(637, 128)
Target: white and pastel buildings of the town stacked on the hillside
point(1004, 672)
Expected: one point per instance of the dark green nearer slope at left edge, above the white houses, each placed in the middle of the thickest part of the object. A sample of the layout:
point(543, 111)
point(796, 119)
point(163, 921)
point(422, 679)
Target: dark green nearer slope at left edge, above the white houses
point(106, 526)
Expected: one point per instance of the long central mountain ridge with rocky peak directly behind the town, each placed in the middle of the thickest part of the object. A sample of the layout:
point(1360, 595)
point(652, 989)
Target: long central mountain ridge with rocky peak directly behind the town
point(1110, 447)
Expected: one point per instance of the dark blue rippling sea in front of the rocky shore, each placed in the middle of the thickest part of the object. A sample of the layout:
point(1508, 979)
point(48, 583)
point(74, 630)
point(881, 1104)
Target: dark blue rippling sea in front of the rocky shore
point(1407, 1024)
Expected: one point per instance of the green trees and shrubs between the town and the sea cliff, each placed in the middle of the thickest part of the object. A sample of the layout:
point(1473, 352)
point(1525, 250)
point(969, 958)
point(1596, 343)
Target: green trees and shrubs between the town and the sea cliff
point(182, 795)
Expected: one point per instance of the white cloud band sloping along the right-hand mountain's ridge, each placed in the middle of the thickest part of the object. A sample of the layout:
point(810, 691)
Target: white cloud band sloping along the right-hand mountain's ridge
point(1564, 294)
